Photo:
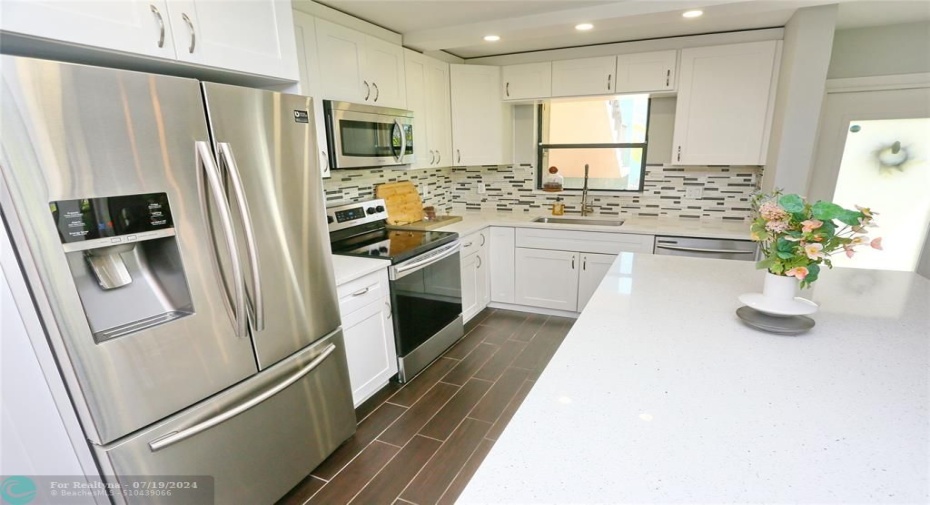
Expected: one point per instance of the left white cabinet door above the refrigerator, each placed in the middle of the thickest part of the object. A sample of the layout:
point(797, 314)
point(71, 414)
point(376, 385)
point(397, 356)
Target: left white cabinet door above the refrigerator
point(133, 26)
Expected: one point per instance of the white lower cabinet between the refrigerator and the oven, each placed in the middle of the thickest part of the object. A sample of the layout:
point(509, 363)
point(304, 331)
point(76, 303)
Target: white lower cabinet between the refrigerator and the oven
point(365, 306)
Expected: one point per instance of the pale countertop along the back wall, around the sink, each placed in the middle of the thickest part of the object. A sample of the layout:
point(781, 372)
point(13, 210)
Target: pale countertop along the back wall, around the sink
point(472, 222)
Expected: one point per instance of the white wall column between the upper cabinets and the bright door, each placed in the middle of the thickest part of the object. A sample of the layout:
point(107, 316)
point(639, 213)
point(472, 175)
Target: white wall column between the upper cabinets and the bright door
point(801, 82)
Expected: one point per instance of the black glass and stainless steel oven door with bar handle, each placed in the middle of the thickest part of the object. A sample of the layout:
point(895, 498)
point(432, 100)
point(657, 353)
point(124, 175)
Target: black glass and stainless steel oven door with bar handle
point(426, 297)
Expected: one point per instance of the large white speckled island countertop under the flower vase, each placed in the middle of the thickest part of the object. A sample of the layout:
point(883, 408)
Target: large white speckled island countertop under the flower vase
point(659, 394)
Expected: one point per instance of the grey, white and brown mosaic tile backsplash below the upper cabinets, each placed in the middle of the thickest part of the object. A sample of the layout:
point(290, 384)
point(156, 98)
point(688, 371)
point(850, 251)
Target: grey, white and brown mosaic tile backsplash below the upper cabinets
point(725, 191)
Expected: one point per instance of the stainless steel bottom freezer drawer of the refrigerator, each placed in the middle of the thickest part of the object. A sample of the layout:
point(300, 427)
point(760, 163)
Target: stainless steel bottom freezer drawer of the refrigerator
point(258, 439)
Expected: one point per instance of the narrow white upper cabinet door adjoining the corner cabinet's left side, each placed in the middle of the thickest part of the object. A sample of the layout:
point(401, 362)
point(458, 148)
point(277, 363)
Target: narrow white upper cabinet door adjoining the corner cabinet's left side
point(439, 125)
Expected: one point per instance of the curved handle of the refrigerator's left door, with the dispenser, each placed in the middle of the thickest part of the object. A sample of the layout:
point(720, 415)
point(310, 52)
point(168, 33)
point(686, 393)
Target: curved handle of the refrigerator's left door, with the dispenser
point(208, 167)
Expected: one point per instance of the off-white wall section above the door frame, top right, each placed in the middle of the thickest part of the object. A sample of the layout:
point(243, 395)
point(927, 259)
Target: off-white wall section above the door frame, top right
point(881, 50)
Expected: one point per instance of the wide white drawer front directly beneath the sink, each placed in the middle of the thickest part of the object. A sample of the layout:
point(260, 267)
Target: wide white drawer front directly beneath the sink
point(583, 241)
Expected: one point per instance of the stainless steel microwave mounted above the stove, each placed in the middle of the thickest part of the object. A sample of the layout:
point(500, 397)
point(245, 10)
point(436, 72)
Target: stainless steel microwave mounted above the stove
point(365, 136)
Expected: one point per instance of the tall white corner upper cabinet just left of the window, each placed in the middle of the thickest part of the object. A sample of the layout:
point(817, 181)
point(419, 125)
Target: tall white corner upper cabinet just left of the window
point(482, 125)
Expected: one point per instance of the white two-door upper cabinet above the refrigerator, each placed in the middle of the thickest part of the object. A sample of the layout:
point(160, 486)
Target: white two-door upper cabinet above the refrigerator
point(254, 37)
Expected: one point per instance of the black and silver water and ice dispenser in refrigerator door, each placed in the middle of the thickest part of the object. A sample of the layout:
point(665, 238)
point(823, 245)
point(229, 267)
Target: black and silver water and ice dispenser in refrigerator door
point(124, 258)
